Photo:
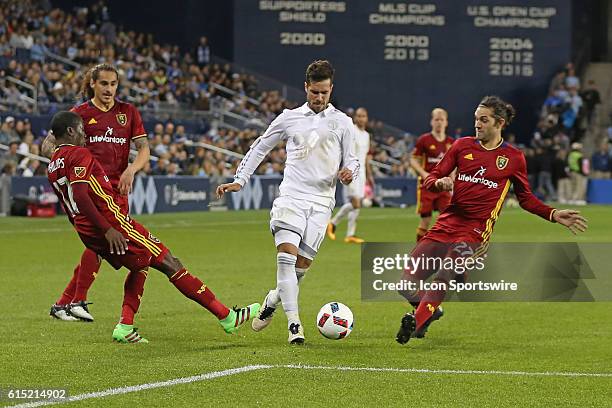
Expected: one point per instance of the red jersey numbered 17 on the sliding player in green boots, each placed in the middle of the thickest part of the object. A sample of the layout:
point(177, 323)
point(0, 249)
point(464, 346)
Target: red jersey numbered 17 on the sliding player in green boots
point(74, 164)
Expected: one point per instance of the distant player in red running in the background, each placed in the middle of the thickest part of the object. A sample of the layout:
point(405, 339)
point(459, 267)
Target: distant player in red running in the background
point(428, 151)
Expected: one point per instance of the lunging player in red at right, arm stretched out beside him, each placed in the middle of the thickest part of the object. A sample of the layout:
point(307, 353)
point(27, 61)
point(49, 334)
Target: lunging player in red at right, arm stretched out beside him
point(485, 167)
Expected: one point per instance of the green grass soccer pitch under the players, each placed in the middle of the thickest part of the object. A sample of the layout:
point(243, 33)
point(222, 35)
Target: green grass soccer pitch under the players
point(233, 253)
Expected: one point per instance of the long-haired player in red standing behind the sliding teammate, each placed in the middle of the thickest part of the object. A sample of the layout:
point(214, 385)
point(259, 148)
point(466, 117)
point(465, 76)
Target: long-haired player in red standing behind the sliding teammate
point(110, 127)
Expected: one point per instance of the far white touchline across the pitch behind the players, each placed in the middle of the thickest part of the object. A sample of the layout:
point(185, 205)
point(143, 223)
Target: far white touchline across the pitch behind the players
point(176, 224)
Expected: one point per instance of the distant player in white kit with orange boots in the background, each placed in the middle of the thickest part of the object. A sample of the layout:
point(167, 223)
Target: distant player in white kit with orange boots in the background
point(355, 191)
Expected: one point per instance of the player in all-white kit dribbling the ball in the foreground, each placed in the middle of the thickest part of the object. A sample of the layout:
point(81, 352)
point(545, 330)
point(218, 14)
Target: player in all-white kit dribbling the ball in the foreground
point(319, 144)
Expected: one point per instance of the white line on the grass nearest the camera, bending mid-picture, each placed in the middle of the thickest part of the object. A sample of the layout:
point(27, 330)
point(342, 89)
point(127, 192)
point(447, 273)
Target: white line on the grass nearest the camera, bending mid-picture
point(238, 370)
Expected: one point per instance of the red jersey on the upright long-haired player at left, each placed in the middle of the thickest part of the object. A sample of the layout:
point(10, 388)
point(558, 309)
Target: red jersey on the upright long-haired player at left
point(108, 134)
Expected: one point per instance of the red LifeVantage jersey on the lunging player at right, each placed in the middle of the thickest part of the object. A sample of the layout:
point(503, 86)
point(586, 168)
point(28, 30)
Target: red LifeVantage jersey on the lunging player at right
point(482, 182)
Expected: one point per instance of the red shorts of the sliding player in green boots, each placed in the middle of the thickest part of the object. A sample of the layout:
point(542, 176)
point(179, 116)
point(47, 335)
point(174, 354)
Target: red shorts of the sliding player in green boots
point(144, 249)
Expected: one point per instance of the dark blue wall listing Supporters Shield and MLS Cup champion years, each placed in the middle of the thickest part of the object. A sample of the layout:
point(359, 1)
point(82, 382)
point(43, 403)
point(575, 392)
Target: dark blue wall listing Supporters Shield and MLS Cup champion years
point(402, 59)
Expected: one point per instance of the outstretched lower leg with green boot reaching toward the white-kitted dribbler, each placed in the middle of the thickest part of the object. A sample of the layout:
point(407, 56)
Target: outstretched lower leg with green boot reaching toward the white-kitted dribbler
point(193, 288)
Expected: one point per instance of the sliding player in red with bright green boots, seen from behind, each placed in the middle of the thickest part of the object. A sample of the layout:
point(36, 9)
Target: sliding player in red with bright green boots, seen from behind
point(91, 203)
